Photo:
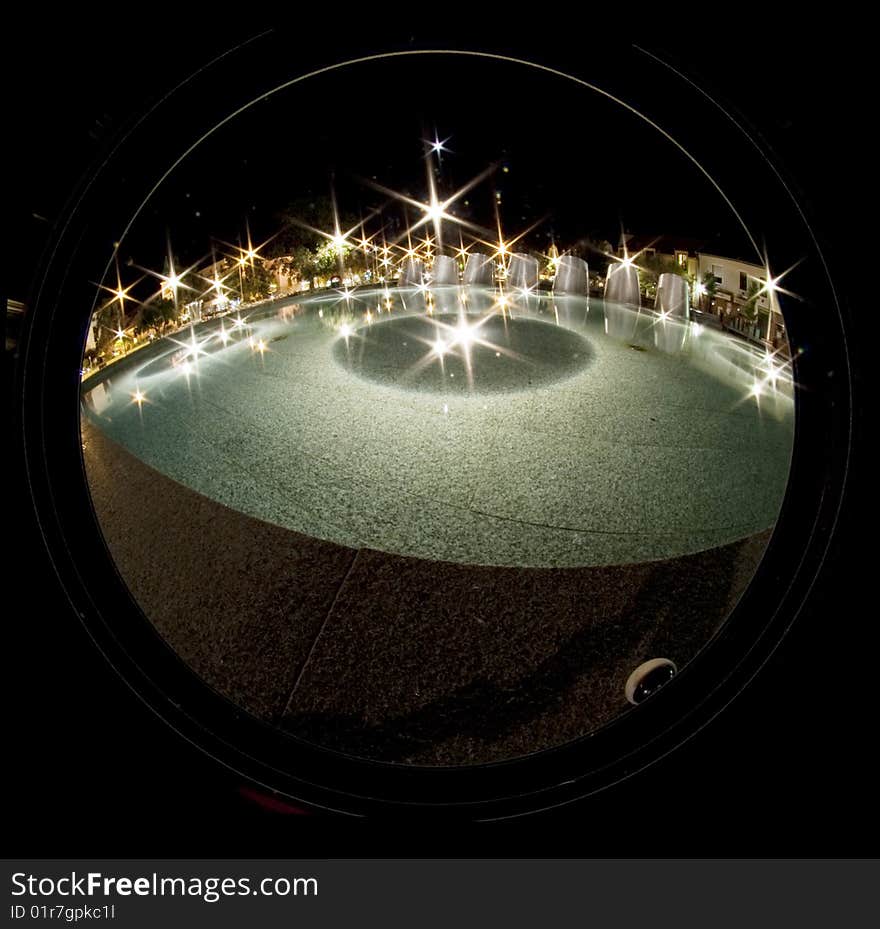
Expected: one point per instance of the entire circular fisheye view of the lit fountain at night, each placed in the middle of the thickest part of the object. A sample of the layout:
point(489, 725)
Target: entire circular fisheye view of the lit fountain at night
point(420, 433)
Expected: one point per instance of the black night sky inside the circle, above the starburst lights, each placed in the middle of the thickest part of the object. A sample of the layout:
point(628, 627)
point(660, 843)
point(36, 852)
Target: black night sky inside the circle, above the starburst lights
point(588, 178)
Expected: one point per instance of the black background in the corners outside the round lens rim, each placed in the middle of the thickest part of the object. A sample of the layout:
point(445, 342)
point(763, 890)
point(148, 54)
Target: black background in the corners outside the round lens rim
point(89, 769)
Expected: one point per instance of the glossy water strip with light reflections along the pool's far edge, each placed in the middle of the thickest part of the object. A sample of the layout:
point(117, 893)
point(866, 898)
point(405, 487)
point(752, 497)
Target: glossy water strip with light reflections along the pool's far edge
point(351, 316)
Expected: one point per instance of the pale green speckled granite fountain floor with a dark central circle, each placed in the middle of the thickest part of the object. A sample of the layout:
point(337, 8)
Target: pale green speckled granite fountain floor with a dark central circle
point(570, 448)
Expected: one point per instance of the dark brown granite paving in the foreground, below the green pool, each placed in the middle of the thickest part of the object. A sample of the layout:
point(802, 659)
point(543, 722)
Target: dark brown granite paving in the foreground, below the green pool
point(396, 658)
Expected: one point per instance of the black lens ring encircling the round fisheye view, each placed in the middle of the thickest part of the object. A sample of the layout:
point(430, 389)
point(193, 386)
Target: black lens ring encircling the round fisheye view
point(53, 455)
